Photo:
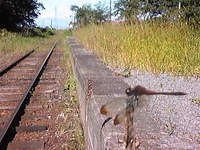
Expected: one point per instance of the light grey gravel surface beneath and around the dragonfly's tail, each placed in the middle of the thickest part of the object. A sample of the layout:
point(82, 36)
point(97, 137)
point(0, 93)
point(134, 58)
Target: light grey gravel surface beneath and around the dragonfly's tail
point(178, 116)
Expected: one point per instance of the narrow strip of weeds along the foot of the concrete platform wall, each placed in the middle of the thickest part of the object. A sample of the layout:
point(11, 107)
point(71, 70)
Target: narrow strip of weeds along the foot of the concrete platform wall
point(72, 127)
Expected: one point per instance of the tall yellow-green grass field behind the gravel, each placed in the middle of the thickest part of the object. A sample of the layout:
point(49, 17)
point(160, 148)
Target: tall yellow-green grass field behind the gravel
point(155, 47)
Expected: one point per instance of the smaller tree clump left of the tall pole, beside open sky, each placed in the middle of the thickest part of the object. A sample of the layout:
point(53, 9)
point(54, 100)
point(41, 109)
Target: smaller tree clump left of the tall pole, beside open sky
point(86, 14)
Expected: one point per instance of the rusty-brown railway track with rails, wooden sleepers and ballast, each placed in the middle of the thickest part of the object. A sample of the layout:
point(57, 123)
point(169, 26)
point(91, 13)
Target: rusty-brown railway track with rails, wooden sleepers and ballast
point(27, 89)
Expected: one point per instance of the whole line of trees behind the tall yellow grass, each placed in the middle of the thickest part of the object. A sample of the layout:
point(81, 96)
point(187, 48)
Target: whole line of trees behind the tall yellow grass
point(135, 10)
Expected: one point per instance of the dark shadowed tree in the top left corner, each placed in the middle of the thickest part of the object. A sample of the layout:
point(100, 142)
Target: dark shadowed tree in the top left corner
point(18, 14)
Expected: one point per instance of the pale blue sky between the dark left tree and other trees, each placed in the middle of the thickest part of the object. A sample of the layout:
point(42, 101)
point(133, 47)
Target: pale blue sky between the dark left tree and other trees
point(60, 9)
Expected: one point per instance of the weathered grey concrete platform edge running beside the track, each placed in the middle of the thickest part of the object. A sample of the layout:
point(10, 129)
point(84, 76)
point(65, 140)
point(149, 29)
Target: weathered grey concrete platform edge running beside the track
point(105, 87)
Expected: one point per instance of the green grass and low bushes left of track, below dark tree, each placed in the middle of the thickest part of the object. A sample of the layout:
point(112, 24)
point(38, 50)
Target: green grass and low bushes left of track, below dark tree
point(19, 42)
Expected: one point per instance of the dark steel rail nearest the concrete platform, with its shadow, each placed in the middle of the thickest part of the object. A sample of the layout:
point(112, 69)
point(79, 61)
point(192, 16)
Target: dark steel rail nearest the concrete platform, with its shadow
point(9, 129)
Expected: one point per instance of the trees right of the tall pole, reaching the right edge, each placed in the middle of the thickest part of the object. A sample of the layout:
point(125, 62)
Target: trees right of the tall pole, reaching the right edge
point(188, 10)
